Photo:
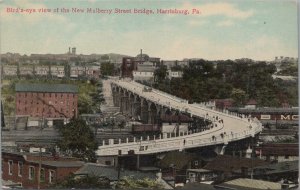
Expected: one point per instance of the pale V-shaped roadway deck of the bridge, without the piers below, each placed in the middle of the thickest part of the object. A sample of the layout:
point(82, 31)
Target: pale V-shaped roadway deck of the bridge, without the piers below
point(227, 126)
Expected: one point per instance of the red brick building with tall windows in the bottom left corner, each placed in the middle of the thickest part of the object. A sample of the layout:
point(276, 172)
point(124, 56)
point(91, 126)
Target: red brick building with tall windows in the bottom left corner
point(23, 169)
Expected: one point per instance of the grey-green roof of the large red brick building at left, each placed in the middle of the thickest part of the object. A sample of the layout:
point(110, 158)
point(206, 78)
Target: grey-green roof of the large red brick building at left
point(56, 88)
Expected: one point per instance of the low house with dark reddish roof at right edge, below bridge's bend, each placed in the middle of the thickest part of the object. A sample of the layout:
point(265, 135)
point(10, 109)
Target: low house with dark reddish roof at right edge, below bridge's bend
point(279, 152)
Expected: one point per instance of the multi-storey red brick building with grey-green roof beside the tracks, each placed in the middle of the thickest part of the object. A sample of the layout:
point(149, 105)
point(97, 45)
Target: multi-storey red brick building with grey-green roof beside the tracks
point(46, 100)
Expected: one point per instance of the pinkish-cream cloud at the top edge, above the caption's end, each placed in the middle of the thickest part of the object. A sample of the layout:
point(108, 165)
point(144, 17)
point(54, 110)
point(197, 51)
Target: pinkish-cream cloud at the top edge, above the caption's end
point(223, 9)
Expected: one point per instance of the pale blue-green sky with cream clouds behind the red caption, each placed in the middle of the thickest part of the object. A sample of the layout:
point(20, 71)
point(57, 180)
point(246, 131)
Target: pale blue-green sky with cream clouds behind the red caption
point(227, 29)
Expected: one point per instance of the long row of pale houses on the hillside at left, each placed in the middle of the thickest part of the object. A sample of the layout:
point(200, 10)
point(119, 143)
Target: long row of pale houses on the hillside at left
point(57, 71)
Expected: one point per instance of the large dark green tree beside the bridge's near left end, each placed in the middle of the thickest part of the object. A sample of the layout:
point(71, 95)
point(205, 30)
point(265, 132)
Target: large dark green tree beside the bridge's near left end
point(78, 140)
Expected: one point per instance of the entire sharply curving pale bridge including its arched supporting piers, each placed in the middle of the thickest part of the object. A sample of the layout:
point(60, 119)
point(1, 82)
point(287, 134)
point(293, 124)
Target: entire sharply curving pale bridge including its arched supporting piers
point(147, 104)
